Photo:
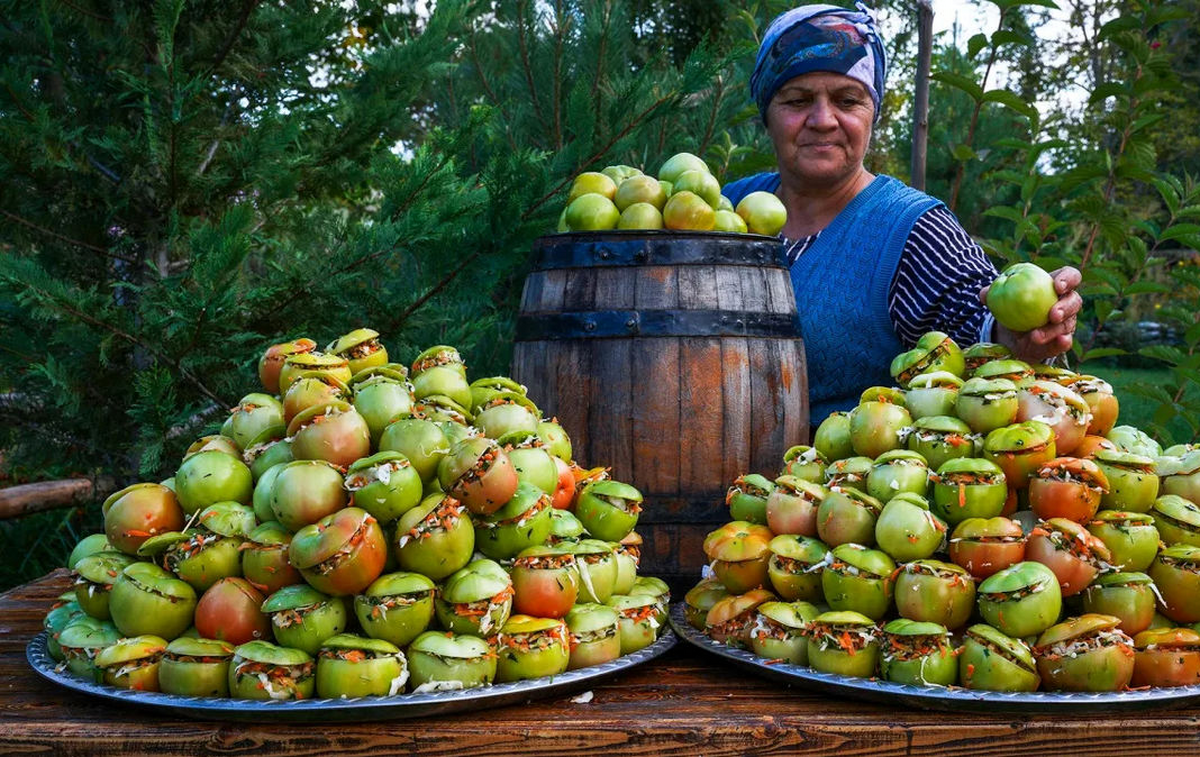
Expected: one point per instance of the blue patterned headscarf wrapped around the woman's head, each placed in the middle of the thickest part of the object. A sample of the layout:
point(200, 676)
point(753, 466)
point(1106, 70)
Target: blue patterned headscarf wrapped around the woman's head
point(820, 38)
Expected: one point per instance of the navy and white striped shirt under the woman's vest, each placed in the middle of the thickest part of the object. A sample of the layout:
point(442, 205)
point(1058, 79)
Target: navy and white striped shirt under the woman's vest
point(938, 281)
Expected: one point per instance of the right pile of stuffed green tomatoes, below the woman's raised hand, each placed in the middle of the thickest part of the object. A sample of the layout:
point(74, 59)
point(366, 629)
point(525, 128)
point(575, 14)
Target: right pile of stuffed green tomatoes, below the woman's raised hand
point(983, 525)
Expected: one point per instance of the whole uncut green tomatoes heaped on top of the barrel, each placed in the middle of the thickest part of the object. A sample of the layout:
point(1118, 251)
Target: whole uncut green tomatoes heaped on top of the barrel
point(685, 197)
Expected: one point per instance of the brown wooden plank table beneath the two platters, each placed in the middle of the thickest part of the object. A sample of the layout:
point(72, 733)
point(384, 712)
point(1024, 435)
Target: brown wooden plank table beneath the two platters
point(685, 704)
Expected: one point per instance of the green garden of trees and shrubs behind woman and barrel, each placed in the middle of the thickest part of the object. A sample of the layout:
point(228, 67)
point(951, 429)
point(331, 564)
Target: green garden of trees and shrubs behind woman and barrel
point(188, 183)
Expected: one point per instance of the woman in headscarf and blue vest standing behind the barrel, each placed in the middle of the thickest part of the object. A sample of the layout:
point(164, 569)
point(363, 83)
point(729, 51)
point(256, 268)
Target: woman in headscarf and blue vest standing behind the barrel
point(874, 263)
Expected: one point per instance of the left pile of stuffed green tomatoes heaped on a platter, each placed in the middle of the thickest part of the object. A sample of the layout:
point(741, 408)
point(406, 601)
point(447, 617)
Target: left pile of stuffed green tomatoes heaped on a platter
point(362, 528)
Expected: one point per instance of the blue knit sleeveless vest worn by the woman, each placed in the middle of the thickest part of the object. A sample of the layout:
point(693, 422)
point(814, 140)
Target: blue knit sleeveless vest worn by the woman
point(842, 286)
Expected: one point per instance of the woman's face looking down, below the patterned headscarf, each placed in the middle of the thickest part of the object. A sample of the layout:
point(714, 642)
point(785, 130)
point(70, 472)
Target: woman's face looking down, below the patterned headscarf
point(820, 124)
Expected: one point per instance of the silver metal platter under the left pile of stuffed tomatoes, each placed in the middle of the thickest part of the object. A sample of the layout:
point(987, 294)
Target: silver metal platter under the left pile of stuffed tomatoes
point(347, 711)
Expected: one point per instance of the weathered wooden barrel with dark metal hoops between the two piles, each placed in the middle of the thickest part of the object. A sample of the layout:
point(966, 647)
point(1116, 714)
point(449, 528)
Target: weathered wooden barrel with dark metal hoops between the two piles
point(674, 358)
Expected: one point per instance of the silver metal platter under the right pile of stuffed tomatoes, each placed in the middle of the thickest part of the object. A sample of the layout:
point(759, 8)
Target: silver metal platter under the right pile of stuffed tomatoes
point(952, 699)
